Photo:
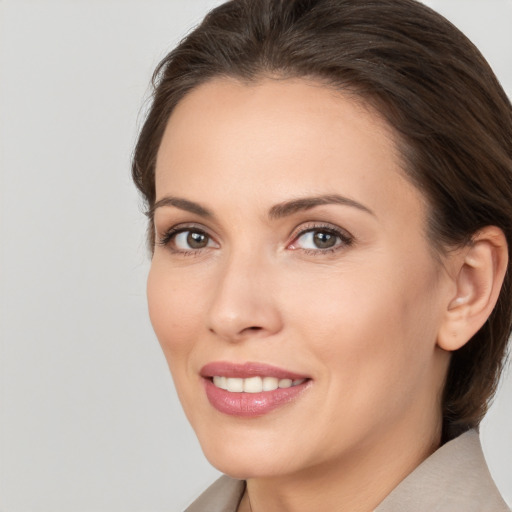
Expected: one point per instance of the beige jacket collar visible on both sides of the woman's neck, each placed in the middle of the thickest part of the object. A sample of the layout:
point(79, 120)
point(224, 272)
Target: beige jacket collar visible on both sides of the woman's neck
point(453, 479)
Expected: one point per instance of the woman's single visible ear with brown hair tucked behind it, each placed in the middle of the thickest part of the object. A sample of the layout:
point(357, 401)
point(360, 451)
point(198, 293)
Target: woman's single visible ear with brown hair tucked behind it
point(479, 270)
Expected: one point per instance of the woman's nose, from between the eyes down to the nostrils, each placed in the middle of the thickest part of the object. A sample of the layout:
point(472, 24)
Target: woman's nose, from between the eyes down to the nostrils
point(245, 300)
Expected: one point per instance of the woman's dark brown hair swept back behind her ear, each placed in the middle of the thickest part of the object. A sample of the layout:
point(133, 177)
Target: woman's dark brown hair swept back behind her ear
point(452, 119)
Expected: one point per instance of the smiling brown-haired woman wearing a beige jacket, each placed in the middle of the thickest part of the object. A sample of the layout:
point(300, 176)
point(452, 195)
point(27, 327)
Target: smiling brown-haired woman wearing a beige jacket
point(329, 190)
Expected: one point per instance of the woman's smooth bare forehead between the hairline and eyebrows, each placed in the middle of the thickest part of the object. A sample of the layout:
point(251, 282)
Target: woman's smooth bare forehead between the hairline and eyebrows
point(279, 137)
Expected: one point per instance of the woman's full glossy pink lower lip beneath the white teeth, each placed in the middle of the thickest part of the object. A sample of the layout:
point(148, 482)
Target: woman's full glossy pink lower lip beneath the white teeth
point(251, 405)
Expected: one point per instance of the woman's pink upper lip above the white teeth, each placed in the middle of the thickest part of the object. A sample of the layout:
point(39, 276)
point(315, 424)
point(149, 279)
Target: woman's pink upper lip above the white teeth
point(246, 370)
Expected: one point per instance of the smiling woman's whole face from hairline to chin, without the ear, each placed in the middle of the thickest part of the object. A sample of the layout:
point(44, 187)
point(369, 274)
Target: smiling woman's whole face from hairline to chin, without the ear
point(292, 264)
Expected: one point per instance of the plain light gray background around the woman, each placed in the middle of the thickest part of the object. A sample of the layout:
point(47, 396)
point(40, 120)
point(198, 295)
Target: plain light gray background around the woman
point(88, 416)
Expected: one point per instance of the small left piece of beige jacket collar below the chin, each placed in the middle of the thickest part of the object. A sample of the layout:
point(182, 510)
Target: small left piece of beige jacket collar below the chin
point(223, 495)
